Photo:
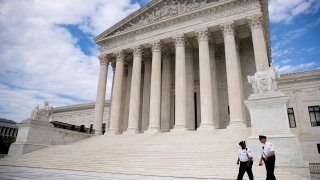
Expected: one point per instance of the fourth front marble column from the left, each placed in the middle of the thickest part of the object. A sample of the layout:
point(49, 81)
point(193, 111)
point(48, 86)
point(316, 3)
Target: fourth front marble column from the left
point(155, 91)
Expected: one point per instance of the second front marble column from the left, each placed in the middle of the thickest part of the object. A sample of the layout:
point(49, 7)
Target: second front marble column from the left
point(116, 94)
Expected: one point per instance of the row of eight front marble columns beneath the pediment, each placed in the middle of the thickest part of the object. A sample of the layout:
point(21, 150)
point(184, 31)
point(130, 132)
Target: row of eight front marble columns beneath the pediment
point(159, 102)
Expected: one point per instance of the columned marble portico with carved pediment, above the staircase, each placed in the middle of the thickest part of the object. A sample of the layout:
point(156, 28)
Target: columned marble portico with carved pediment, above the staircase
point(182, 65)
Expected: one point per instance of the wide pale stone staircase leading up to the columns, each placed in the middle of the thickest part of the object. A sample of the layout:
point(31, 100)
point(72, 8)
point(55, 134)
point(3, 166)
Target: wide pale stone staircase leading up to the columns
point(191, 154)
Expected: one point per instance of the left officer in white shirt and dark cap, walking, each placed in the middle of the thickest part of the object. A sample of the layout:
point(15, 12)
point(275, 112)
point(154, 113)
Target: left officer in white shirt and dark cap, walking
point(245, 160)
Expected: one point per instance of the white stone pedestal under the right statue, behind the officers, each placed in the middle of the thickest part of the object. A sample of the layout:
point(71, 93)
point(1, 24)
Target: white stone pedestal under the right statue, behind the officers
point(269, 117)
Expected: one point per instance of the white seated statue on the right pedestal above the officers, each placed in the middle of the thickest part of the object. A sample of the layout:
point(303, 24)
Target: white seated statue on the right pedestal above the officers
point(264, 80)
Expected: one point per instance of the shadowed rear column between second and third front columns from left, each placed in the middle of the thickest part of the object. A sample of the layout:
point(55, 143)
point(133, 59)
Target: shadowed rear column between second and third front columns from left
point(127, 100)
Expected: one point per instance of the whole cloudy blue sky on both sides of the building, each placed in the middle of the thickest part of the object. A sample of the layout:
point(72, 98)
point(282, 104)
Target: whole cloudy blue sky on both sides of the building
point(47, 50)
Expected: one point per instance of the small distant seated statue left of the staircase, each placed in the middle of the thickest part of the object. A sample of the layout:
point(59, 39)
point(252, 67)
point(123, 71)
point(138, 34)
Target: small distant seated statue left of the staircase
point(42, 114)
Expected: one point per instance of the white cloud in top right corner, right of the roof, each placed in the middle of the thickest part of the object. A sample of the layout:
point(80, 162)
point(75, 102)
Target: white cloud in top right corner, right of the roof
point(286, 10)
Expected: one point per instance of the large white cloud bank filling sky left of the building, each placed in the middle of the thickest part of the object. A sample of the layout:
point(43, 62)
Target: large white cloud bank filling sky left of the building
point(40, 59)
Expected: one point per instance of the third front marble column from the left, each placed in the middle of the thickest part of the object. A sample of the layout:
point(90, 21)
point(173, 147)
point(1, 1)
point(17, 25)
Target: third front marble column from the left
point(134, 108)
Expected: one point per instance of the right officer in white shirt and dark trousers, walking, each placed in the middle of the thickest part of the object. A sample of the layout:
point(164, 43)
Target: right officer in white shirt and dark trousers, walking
point(268, 157)
